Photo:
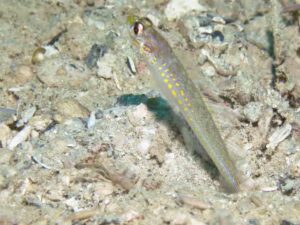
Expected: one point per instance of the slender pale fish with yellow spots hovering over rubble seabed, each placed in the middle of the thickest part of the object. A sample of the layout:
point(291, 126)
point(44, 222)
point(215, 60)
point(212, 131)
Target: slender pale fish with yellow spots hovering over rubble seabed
point(180, 91)
